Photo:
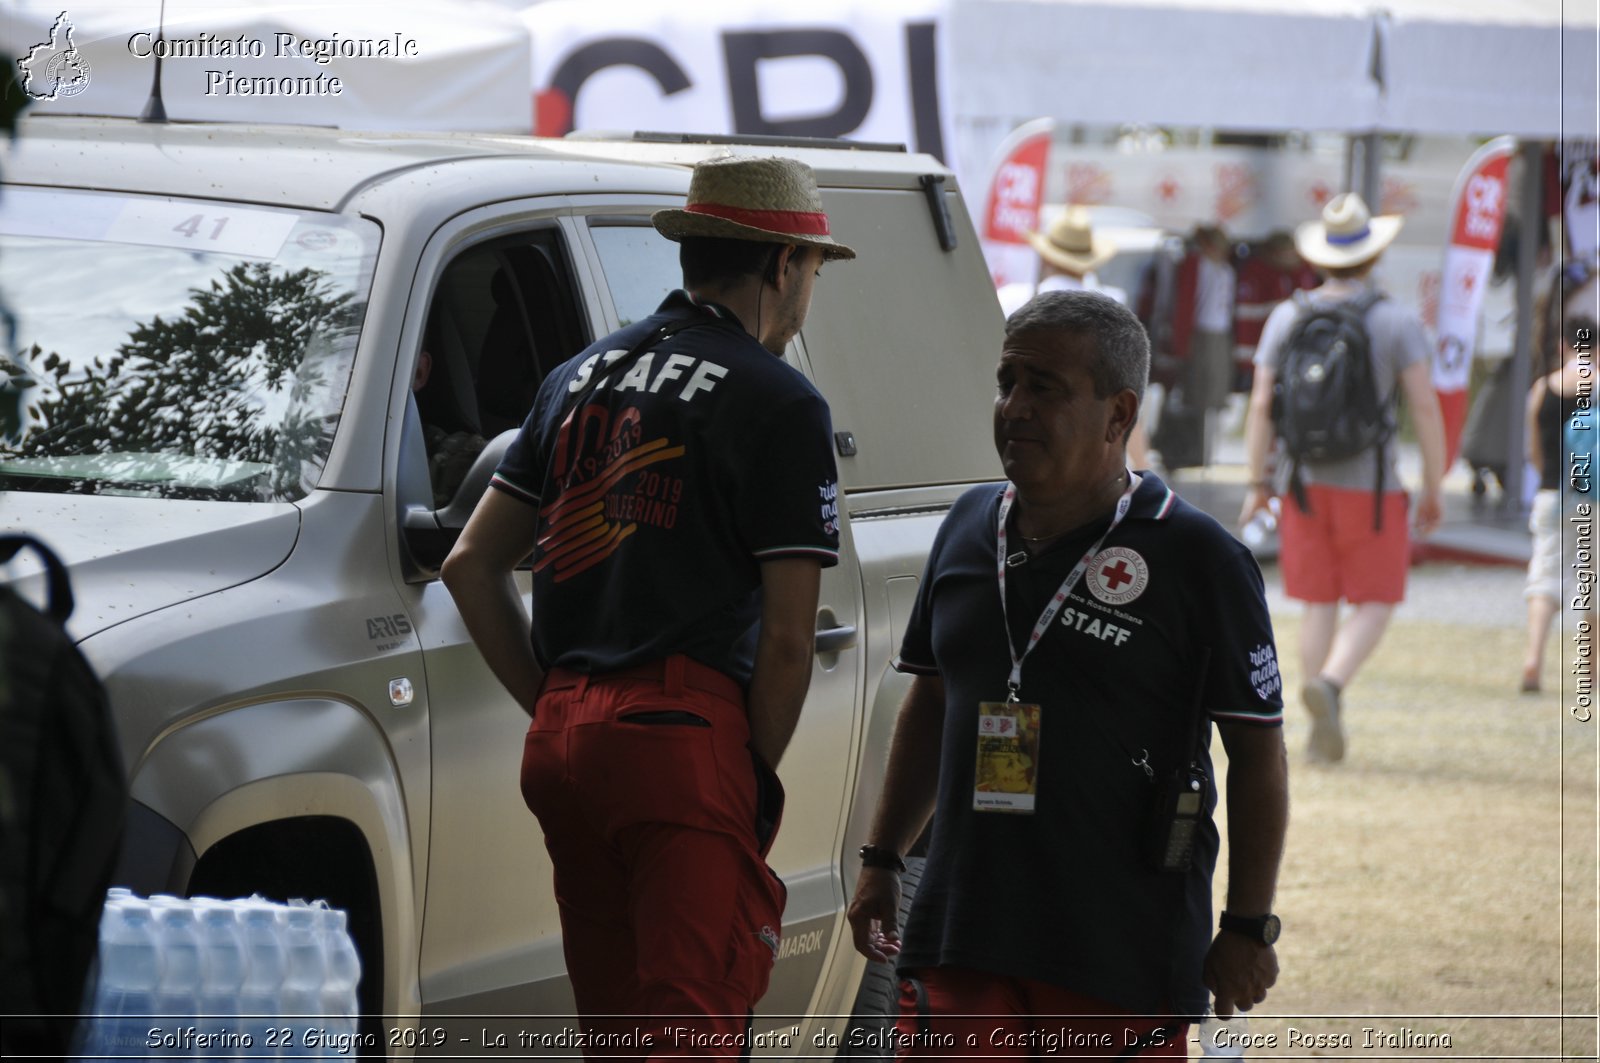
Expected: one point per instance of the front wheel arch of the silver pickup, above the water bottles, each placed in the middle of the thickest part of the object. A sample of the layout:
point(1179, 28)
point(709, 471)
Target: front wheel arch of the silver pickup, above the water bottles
point(252, 812)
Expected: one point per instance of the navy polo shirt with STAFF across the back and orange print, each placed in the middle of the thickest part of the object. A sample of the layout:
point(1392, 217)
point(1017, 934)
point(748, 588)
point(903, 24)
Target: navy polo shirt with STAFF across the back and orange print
point(660, 500)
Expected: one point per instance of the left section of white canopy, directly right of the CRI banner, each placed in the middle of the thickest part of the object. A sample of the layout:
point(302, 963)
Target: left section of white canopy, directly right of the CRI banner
point(1246, 65)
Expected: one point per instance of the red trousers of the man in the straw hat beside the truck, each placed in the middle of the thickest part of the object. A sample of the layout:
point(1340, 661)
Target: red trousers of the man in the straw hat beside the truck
point(658, 819)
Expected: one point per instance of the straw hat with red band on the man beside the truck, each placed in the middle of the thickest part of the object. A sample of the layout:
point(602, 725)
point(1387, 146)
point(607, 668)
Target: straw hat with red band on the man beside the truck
point(772, 201)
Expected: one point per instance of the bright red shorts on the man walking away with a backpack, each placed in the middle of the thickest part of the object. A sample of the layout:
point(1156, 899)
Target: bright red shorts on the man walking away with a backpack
point(1334, 553)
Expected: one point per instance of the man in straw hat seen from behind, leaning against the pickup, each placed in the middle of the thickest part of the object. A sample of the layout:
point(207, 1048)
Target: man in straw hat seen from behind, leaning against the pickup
point(676, 486)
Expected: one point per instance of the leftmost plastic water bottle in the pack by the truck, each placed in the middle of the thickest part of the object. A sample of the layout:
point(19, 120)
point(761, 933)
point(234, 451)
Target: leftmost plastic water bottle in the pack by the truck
point(130, 976)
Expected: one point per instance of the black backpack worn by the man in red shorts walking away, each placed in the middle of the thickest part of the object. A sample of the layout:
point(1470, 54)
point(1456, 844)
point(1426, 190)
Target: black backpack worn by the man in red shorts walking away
point(1326, 403)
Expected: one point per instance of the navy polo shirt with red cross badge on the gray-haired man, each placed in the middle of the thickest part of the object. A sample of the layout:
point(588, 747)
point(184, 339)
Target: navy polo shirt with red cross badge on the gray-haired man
point(1065, 896)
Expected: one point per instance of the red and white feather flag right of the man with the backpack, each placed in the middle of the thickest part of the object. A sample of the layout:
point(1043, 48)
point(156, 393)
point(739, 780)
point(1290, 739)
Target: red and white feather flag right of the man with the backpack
point(1478, 215)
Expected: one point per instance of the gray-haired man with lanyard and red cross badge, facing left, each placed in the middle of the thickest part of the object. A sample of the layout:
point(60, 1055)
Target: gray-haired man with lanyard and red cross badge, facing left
point(1078, 633)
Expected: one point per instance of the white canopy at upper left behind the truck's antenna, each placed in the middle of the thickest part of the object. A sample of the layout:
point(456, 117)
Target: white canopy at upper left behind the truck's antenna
point(406, 65)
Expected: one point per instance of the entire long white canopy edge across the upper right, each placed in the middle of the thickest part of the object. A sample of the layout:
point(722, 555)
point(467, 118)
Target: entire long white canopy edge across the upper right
point(1526, 68)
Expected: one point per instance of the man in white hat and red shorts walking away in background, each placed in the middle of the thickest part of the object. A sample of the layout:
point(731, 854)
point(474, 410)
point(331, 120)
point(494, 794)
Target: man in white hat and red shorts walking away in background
point(1346, 545)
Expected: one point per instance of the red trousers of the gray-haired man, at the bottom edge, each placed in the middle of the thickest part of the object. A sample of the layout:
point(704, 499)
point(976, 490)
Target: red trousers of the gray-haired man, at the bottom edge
point(958, 1013)
